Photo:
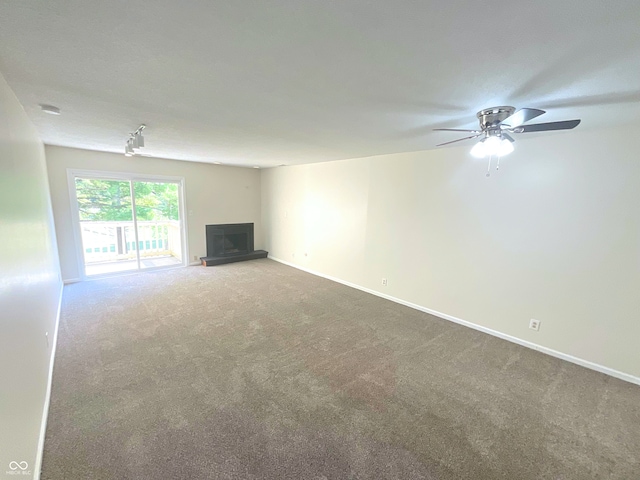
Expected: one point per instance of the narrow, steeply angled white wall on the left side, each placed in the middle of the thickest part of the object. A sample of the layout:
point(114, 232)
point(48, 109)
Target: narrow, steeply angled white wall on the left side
point(30, 286)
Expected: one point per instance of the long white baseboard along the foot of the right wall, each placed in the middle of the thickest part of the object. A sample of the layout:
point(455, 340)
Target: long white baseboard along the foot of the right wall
point(554, 353)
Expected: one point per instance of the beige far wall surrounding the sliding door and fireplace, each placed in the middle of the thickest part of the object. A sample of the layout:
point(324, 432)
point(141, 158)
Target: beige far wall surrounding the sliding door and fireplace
point(214, 194)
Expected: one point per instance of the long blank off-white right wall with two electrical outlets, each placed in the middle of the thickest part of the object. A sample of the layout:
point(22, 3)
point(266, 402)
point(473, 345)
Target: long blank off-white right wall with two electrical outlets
point(553, 235)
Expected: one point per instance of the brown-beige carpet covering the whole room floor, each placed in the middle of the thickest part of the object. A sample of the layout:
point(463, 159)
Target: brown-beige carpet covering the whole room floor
point(256, 370)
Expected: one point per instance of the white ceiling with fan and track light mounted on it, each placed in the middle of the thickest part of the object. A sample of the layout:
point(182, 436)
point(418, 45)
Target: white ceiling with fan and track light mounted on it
point(258, 82)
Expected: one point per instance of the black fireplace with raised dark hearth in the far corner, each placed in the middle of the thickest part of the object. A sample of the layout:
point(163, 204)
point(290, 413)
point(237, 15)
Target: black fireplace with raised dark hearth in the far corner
point(230, 242)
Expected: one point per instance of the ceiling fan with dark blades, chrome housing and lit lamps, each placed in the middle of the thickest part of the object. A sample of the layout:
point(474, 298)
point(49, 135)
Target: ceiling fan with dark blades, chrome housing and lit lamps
point(496, 126)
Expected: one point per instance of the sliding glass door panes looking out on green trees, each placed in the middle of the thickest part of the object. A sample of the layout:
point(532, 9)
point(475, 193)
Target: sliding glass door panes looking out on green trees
point(128, 224)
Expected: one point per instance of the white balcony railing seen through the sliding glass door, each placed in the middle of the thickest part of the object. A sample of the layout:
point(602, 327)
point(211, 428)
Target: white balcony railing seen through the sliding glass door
point(114, 241)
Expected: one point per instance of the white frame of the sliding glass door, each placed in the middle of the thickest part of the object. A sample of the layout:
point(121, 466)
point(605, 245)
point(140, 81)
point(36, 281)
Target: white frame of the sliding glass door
point(73, 173)
